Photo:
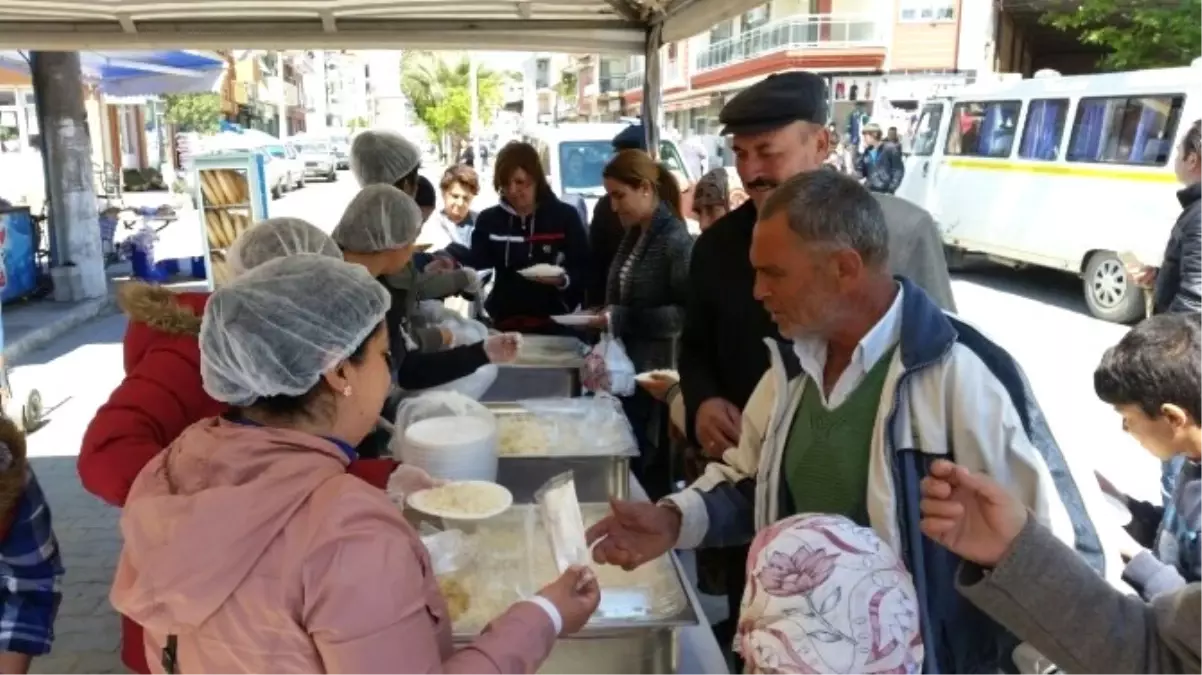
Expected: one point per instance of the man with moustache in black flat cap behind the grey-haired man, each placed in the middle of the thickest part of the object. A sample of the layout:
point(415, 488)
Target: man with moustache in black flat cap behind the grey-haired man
point(779, 132)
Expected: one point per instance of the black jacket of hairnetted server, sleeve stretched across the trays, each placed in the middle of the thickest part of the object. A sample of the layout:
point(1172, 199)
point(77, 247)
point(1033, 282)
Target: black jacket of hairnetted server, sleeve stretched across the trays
point(421, 371)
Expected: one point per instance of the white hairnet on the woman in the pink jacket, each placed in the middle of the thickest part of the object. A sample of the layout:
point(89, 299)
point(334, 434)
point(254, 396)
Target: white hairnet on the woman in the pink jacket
point(276, 330)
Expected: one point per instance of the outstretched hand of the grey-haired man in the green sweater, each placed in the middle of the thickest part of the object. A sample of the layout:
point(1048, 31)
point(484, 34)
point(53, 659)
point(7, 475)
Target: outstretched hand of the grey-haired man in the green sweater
point(634, 534)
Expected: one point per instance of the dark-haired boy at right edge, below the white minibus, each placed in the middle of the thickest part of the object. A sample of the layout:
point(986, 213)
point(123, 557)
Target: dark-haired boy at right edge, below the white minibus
point(1153, 378)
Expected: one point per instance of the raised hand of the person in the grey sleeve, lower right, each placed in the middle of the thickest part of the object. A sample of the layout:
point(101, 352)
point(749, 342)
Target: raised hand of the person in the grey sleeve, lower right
point(969, 515)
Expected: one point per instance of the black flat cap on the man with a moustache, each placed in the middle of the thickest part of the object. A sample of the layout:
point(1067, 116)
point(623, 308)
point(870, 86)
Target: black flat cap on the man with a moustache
point(775, 101)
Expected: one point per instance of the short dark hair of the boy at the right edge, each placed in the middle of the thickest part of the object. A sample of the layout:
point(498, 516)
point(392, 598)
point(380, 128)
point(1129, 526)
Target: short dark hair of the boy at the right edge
point(1158, 362)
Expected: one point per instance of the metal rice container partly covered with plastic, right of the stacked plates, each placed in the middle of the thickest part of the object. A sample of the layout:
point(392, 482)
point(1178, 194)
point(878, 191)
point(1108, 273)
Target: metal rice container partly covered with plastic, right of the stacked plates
point(588, 437)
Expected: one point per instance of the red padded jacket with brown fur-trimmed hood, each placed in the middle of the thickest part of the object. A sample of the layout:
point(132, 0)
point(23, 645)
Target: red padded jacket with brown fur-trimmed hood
point(160, 397)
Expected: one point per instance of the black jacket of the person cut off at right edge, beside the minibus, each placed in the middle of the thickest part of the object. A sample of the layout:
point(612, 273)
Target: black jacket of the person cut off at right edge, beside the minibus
point(1180, 280)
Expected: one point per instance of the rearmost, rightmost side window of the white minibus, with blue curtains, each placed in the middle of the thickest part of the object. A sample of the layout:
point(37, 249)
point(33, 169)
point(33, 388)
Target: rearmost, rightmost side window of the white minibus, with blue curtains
point(1138, 130)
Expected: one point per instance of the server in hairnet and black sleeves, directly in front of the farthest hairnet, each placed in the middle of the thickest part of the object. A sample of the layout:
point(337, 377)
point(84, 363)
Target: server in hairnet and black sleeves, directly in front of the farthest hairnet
point(379, 231)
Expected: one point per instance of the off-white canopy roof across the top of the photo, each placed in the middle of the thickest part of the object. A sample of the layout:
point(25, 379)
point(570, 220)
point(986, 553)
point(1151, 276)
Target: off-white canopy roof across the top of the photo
point(551, 26)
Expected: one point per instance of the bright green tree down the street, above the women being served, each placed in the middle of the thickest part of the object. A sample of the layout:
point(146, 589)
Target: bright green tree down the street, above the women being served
point(438, 88)
